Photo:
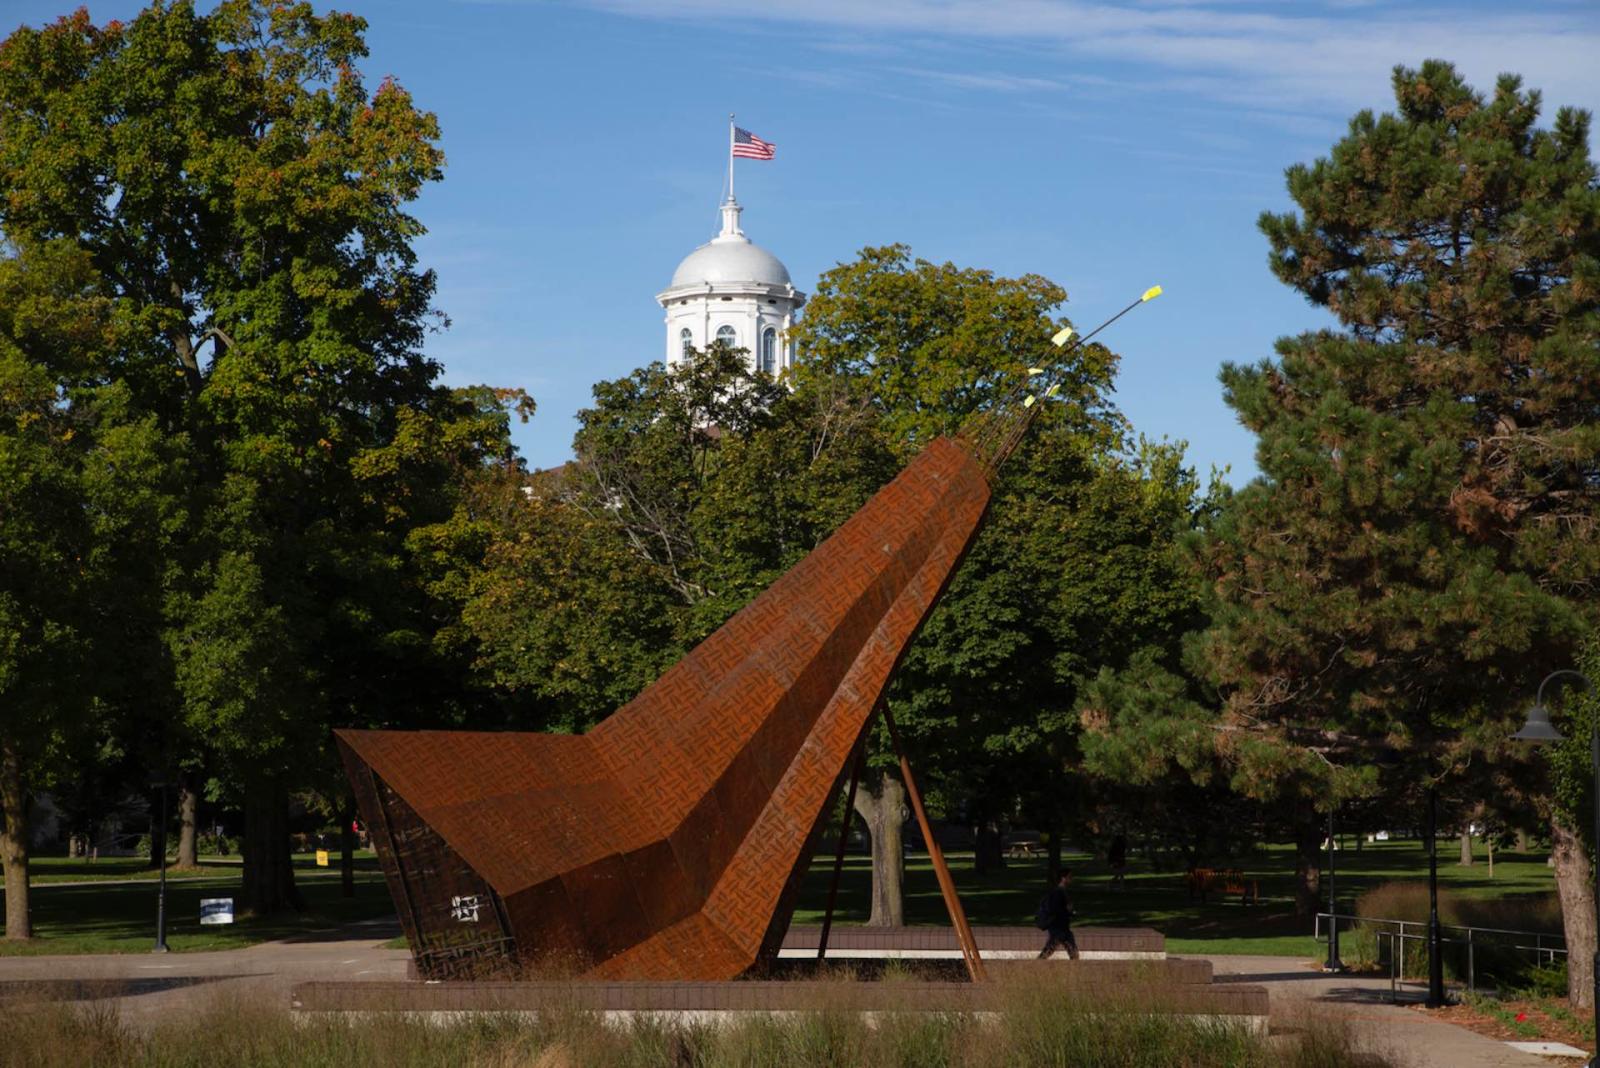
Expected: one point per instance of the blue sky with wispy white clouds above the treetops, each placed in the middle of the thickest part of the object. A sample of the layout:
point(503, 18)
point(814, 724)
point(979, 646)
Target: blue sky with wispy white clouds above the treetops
point(1106, 148)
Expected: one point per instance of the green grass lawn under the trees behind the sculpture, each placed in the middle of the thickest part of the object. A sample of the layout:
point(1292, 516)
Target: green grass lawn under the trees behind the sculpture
point(122, 919)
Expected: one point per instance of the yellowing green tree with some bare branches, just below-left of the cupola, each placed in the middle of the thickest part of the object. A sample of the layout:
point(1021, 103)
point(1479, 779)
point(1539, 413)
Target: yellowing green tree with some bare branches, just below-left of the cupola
point(601, 575)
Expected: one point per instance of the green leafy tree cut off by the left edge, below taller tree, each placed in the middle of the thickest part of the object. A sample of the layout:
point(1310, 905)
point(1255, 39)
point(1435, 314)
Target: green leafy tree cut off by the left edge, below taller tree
point(81, 474)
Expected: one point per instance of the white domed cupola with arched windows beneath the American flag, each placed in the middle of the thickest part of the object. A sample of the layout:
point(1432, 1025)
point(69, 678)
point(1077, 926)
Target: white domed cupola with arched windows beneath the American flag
point(737, 292)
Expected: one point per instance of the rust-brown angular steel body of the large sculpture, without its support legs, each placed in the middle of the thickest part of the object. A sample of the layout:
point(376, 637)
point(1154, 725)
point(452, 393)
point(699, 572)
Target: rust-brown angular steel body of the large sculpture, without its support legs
point(670, 842)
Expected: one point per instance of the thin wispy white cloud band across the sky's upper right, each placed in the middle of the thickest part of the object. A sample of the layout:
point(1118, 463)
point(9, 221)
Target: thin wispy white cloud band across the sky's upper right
point(1322, 58)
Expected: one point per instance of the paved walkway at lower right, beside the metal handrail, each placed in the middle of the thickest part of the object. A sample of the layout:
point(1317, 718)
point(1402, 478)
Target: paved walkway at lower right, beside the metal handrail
point(1409, 1037)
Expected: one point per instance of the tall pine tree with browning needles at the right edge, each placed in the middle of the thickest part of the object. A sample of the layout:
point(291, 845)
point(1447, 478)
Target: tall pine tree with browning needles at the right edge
point(1422, 546)
